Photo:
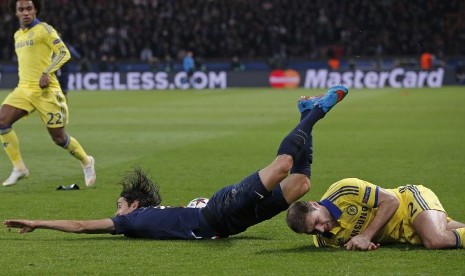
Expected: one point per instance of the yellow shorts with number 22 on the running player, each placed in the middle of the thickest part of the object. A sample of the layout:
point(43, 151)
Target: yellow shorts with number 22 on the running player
point(49, 102)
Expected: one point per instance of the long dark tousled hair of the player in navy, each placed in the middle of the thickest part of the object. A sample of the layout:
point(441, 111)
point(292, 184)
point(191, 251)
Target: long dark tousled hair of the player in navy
point(138, 186)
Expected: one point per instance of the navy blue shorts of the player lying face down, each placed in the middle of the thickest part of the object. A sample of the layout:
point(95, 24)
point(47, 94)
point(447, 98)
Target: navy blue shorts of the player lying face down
point(235, 208)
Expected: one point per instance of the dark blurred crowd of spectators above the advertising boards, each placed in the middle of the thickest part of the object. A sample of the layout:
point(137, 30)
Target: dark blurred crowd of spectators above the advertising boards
point(147, 30)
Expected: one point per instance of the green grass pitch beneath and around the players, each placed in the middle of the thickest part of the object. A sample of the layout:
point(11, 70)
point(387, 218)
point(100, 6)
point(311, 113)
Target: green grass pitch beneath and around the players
point(194, 142)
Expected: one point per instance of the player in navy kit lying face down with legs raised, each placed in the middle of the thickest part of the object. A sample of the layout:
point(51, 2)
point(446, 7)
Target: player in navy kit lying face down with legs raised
point(230, 210)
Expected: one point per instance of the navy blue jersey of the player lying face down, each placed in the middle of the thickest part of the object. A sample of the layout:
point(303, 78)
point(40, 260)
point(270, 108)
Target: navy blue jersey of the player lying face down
point(164, 223)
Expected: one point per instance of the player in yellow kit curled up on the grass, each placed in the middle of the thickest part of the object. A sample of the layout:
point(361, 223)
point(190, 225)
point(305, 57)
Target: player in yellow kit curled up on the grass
point(359, 215)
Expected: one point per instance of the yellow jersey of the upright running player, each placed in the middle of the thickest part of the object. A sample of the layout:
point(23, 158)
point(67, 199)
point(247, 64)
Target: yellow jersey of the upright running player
point(40, 50)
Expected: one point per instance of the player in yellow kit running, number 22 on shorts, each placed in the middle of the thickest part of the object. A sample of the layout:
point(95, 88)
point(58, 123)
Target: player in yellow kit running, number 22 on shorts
point(40, 53)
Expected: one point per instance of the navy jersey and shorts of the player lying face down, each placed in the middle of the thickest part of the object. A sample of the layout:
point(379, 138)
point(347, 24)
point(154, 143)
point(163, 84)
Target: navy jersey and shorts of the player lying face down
point(229, 211)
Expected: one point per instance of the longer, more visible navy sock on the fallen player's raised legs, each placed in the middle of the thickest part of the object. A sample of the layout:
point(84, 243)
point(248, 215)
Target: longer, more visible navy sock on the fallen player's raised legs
point(300, 136)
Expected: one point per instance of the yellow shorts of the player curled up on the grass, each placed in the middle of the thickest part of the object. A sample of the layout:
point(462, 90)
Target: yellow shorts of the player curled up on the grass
point(414, 200)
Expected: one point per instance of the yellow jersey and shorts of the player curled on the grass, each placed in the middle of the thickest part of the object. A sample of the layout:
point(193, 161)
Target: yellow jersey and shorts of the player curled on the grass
point(353, 203)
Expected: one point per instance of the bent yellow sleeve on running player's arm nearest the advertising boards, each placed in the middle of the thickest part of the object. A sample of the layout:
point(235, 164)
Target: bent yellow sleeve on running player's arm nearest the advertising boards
point(61, 53)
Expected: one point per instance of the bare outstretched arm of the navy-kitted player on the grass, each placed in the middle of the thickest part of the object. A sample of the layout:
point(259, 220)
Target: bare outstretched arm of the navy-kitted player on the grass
point(73, 226)
